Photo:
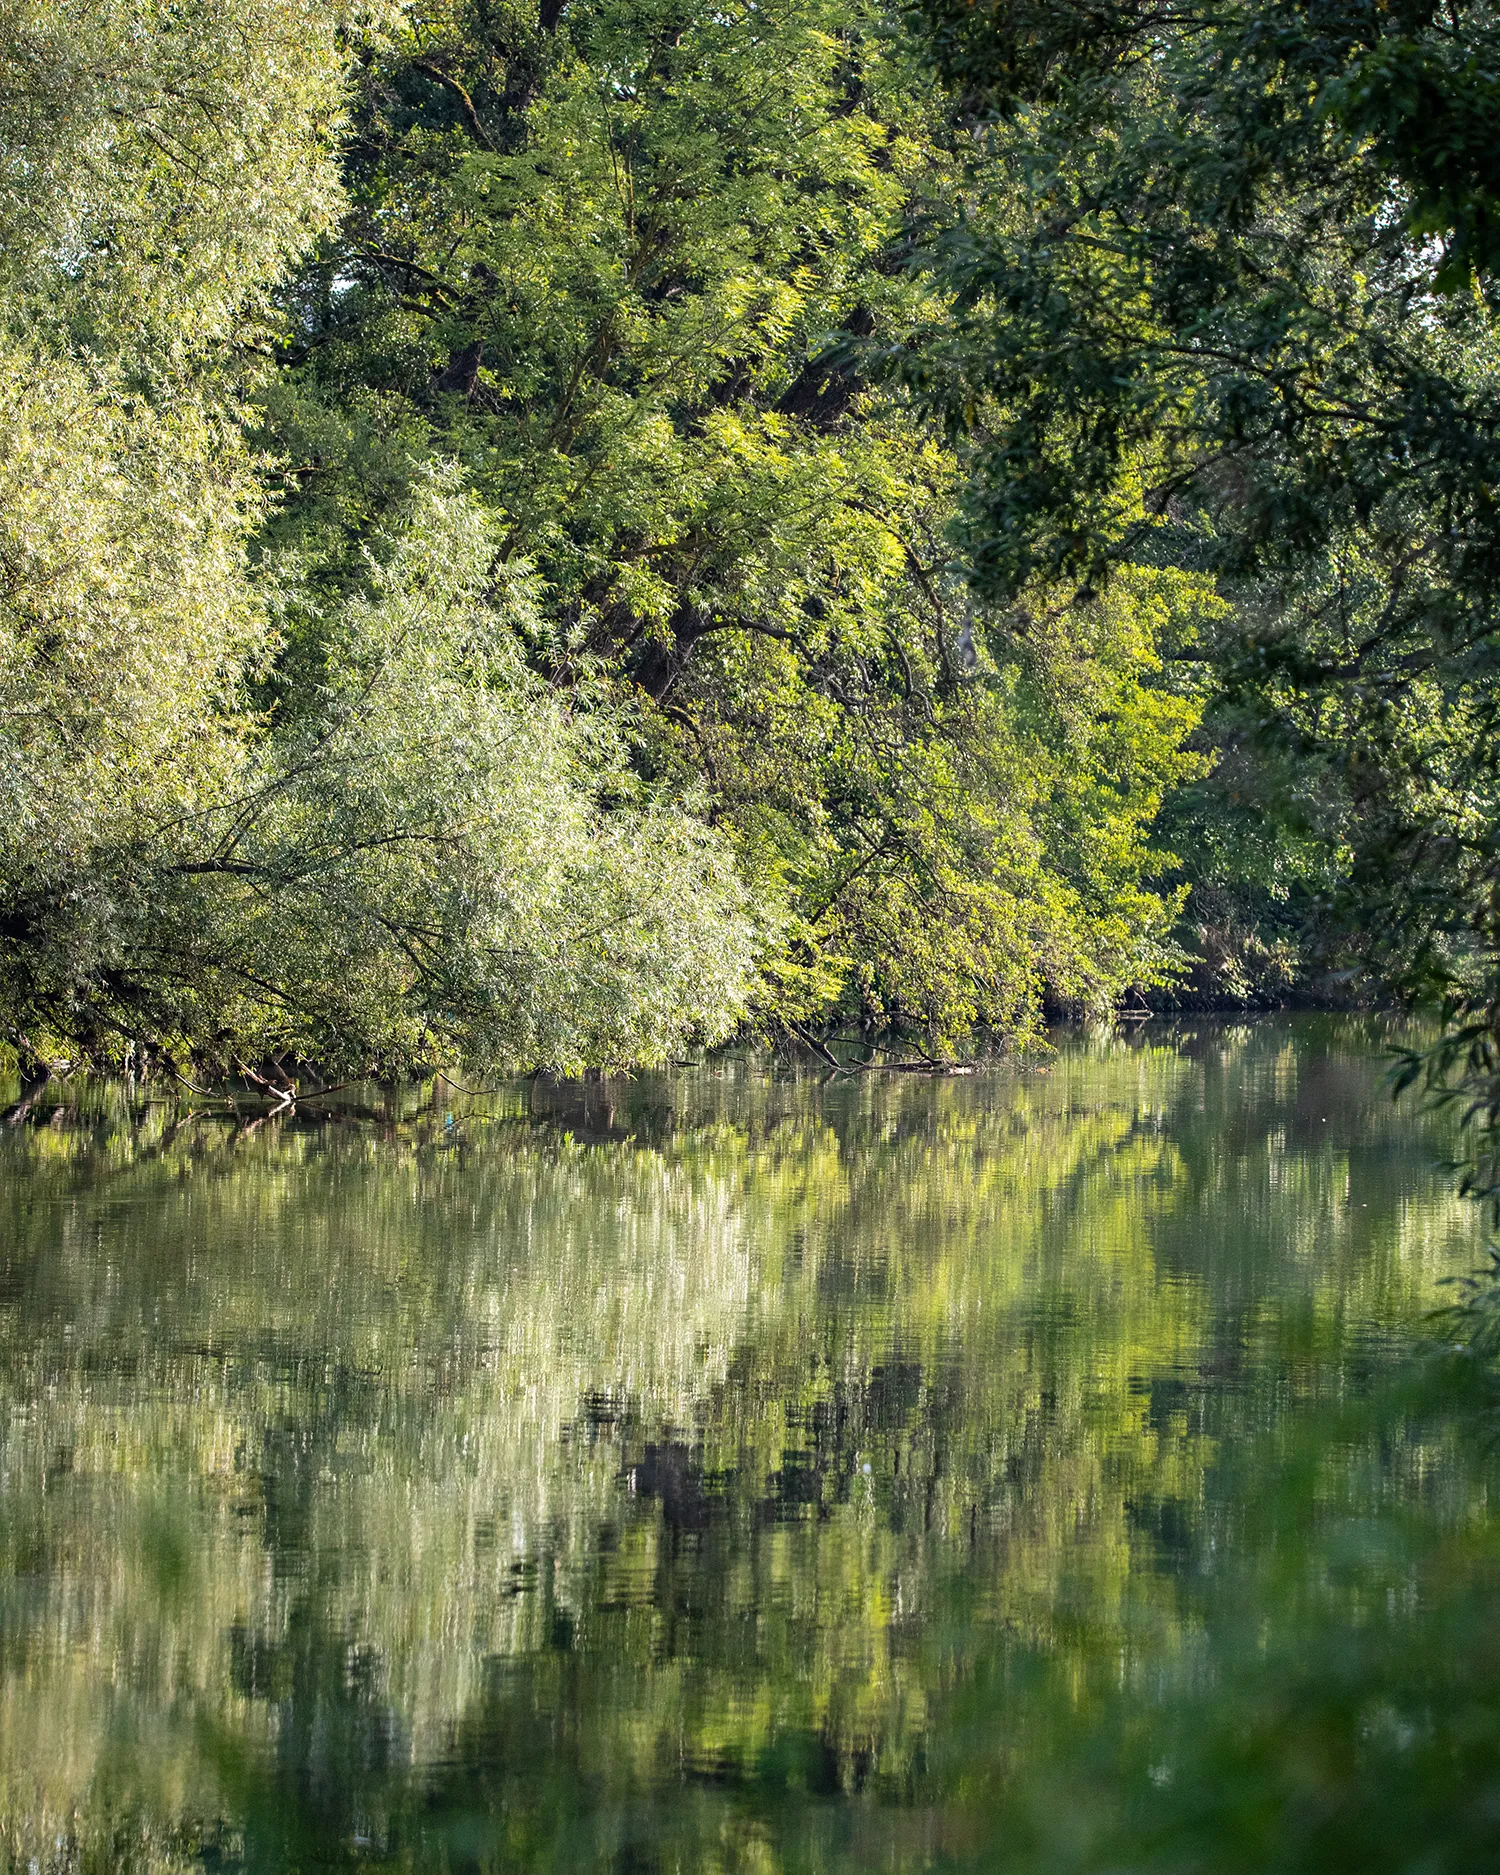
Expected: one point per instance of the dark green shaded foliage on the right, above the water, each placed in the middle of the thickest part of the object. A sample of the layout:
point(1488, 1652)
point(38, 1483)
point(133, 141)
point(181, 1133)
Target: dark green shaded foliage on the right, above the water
point(1223, 301)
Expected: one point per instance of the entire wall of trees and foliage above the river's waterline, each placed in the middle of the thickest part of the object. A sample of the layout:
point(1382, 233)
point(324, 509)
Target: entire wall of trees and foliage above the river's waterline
point(535, 537)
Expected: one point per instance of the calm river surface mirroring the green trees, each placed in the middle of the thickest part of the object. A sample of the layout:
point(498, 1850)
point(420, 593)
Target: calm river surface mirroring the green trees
point(742, 1473)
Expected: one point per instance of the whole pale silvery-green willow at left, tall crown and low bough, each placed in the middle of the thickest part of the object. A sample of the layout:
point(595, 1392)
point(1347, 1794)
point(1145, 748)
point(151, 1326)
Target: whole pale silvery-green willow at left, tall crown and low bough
point(412, 854)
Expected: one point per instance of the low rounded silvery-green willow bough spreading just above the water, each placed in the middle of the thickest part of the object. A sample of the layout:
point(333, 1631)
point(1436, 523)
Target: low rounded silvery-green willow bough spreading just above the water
point(432, 862)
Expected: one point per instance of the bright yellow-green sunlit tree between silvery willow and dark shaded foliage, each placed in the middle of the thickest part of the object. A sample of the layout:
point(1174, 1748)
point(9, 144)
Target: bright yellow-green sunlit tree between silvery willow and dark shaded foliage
point(603, 262)
